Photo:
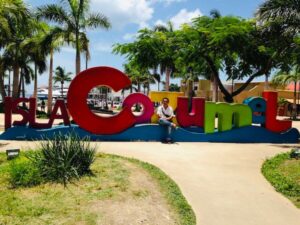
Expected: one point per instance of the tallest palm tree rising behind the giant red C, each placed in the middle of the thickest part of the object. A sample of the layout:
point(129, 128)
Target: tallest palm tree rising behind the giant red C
point(75, 18)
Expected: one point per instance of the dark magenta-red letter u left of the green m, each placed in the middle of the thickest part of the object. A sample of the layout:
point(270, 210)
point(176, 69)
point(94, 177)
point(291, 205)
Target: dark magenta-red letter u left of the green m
point(195, 117)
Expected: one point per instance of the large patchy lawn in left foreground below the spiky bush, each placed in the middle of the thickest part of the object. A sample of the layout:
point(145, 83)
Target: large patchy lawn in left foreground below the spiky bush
point(120, 191)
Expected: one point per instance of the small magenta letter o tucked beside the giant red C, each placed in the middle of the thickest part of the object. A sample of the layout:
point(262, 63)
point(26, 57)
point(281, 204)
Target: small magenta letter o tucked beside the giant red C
point(148, 108)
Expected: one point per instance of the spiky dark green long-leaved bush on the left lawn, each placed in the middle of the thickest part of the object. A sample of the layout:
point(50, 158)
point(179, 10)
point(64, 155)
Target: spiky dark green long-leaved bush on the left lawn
point(64, 157)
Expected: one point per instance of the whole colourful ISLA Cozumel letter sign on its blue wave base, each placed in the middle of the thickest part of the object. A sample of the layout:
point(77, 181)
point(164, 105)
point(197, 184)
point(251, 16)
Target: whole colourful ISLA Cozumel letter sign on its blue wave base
point(252, 122)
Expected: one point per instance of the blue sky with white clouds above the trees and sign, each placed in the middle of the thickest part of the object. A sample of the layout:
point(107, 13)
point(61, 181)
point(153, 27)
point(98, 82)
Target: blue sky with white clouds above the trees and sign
point(128, 16)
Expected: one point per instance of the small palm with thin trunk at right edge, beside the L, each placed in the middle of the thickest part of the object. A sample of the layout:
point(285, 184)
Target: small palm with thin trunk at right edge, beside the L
point(287, 78)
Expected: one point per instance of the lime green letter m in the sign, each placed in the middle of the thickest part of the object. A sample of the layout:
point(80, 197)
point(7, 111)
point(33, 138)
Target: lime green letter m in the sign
point(228, 114)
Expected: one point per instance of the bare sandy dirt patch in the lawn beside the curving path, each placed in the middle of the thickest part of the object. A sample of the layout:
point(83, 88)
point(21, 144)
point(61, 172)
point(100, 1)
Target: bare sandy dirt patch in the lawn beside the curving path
point(142, 203)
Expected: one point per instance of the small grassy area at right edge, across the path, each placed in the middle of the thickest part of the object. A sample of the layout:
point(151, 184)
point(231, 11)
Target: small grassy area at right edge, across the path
point(283, 173)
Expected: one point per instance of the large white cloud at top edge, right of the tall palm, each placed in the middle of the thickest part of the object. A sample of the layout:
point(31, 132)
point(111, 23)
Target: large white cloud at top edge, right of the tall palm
point(124, 12)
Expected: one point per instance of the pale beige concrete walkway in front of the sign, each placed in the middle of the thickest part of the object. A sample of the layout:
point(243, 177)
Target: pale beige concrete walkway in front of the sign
point(222, 182)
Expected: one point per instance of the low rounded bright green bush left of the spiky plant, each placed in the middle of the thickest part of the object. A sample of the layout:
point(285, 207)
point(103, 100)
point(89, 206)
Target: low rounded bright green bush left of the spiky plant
point(22, 172)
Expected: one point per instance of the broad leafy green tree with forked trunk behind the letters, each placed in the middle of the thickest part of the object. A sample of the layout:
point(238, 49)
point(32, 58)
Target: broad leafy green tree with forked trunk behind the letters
point(237, 47)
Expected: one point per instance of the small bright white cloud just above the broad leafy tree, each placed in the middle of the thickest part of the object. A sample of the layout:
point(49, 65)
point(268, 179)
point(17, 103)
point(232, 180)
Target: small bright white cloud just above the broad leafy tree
point(184, 16)
